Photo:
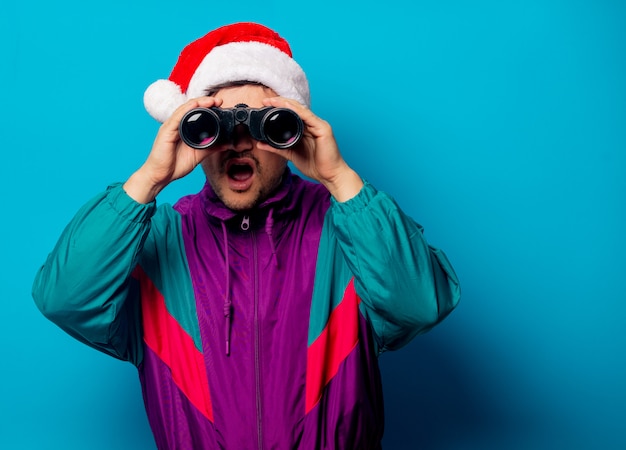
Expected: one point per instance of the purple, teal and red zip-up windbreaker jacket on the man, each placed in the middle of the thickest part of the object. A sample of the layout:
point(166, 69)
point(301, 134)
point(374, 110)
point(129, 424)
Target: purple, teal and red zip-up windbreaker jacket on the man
point(249, 331)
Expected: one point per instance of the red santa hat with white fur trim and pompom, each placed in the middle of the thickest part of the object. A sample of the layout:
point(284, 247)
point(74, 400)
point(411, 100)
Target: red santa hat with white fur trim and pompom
point(237, 52)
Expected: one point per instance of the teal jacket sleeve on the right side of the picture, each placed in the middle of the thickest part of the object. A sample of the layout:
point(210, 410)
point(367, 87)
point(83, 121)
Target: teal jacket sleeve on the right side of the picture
point(406, 286)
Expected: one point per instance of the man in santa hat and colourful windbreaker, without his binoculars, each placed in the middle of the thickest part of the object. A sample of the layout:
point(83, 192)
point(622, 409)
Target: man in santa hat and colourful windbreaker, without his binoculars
point(256, 309)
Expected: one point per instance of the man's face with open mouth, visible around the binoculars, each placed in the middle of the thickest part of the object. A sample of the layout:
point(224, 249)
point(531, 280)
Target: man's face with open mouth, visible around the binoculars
point(240, 174)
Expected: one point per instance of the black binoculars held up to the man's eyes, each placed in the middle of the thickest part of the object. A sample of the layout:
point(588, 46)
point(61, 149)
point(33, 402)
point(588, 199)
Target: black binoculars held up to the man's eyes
point(201, 128)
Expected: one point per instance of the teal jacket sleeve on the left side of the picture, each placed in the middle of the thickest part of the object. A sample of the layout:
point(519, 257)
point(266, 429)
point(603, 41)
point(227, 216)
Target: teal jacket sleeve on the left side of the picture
point(85, 285)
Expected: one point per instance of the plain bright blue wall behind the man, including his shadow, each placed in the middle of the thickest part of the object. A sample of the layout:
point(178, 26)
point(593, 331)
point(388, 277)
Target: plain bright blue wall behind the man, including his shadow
point(500, 126)
